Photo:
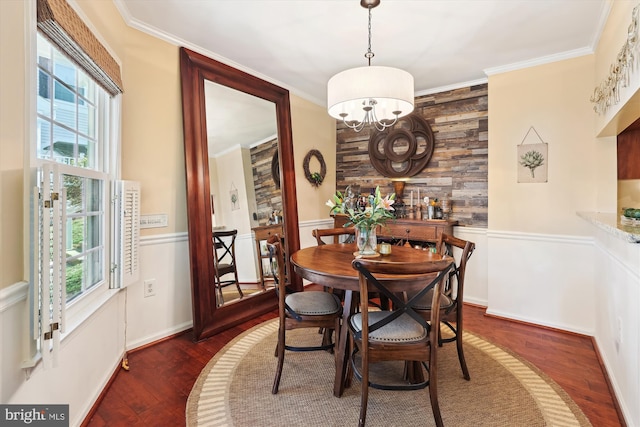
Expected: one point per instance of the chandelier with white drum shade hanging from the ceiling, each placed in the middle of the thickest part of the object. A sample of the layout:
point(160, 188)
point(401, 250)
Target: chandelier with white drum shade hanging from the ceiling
point(370, 95)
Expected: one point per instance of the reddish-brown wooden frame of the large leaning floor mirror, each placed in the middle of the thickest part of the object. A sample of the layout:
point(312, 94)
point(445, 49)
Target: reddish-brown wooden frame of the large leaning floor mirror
point(209, 317)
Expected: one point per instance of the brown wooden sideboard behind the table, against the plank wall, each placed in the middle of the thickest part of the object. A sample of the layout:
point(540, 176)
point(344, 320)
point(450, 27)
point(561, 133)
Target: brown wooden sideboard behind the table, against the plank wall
point(414, 230)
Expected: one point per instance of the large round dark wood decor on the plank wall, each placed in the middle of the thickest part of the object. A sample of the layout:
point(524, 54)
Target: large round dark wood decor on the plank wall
point(403, 150)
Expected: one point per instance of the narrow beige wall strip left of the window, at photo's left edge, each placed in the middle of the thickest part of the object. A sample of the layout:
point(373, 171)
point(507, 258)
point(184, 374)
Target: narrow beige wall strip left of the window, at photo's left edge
point(12, 138)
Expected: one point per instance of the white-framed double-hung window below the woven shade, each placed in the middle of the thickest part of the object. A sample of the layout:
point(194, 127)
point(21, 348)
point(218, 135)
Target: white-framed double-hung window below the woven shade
point(72, 111)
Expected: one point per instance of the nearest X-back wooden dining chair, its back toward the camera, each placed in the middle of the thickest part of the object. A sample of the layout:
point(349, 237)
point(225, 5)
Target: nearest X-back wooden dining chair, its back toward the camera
point(401, 334)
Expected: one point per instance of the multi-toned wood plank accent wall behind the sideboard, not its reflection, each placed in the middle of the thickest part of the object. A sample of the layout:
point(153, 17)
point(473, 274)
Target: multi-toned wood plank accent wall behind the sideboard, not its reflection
point(459, 166)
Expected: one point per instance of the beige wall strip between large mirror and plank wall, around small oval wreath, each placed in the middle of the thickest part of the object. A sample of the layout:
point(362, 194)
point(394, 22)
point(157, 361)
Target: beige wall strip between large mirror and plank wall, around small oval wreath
point(313, 128)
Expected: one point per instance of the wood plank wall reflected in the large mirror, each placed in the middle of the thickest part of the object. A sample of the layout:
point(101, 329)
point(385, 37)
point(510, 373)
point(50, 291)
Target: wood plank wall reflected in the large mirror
point(268, 196)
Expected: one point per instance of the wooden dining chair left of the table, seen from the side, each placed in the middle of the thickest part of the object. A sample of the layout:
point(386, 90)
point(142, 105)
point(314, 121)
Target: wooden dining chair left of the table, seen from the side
point(306, 309)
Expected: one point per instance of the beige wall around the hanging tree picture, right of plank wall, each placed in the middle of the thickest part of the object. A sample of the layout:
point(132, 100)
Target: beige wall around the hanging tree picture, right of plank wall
point(554, 98)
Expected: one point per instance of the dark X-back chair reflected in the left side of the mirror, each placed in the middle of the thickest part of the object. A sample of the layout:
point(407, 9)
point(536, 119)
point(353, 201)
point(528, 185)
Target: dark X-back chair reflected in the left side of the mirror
point(224, 261)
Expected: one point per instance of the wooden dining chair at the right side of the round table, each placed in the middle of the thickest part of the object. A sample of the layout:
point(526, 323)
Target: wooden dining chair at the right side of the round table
point(451, 305)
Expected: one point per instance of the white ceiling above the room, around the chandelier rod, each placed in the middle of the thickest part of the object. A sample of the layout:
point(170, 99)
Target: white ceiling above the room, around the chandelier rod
point(300, 44)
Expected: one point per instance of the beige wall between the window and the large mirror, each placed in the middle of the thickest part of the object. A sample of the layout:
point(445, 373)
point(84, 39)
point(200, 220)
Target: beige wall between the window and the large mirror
point(152, 143)
